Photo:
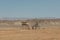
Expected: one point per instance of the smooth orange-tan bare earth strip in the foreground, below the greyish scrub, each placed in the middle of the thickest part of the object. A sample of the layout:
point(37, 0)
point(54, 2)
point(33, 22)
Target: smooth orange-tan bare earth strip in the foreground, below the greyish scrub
point(42, 34)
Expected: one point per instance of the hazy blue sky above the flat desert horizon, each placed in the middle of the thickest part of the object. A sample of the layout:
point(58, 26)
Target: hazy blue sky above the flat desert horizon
point(29, 8)
